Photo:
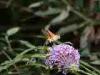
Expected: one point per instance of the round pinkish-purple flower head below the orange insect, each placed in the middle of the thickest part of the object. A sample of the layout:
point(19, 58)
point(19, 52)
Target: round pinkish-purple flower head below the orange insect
point(63, 56)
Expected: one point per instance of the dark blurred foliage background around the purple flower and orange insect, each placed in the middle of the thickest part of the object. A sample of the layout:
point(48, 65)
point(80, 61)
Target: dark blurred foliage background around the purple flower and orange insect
point(22, 23)
